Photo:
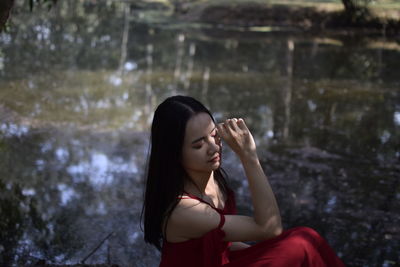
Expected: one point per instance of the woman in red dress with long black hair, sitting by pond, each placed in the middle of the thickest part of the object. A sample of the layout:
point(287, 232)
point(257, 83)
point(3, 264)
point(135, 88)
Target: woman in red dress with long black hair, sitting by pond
point(189, 210)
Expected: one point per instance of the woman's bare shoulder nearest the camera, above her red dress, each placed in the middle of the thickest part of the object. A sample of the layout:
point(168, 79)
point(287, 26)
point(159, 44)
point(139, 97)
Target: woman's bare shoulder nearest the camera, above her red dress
point(191, 219)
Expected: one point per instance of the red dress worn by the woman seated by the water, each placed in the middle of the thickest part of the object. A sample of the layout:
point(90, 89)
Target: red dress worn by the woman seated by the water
point(297, 247)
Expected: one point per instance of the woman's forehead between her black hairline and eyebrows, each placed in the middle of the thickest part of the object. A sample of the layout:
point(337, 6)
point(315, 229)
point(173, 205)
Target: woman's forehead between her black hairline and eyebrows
point(199, 125)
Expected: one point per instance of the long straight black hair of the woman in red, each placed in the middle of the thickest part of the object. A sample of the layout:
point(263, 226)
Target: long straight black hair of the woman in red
point(165, 174)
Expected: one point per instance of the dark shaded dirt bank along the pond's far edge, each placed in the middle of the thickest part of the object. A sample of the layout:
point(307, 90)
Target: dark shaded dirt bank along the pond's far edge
point(303, 18)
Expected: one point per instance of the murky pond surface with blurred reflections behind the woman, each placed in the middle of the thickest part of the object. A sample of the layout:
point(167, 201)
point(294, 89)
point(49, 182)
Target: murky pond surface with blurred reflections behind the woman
point(79, 84)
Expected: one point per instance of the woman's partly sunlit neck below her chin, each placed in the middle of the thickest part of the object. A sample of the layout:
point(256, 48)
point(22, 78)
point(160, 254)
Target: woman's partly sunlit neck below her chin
point(201, 183)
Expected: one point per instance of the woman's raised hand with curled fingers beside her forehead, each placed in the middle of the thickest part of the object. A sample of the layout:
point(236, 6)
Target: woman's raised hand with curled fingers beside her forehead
point(236, 134)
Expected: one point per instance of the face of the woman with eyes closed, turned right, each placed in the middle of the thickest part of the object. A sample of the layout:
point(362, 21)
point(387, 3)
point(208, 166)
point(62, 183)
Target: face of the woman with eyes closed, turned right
point(201, 151)
